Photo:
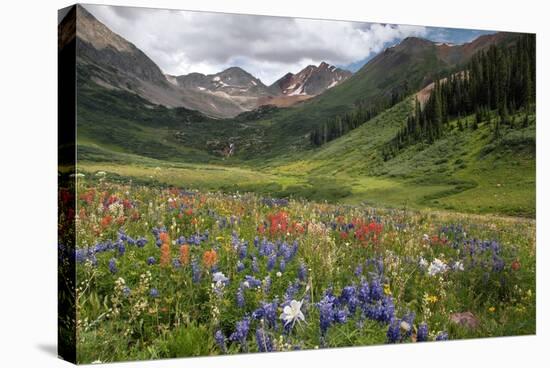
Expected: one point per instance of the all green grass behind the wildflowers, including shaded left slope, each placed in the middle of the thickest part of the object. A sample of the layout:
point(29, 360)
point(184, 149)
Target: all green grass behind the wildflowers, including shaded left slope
point(465, 171)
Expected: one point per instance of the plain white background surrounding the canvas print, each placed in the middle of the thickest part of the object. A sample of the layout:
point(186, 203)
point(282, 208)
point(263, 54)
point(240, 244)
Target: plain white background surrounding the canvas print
point(28, 113)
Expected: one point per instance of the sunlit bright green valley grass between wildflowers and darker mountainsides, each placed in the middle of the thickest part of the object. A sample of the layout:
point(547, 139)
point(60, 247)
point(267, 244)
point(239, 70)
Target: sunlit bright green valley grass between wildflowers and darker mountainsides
point(450, 174)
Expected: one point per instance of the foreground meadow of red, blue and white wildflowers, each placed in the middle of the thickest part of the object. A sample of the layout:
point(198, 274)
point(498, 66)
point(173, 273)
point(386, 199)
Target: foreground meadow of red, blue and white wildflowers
point(166, 272)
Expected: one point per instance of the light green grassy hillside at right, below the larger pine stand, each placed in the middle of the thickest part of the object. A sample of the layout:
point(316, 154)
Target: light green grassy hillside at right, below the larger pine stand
point(465, 171)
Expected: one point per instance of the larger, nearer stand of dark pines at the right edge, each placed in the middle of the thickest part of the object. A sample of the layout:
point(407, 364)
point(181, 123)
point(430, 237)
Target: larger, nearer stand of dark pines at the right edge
point(500, 79)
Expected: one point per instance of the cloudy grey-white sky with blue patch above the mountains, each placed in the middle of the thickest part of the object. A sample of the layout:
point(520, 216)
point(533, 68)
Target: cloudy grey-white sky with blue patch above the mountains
point(181, 42)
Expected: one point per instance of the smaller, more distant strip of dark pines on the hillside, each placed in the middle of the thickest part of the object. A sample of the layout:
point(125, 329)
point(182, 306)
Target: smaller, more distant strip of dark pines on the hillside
point(336, 127)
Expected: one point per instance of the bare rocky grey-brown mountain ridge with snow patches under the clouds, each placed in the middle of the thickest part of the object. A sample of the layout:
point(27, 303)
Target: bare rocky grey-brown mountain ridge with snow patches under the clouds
point(115, 63)
